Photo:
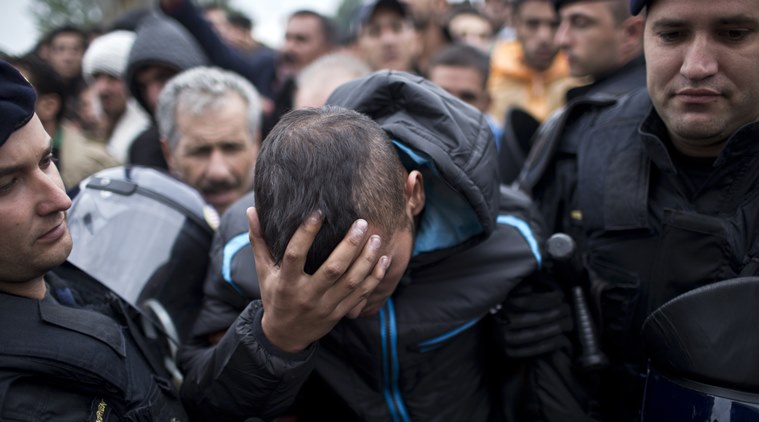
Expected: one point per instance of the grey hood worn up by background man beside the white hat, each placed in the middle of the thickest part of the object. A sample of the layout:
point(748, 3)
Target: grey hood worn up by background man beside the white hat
point(161, 41)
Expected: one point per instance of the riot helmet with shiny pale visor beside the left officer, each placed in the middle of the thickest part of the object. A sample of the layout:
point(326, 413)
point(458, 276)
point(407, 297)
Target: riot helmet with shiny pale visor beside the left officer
point(146, 236)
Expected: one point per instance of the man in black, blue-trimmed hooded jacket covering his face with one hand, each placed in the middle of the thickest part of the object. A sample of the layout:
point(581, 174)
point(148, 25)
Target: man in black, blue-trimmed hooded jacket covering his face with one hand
point(391, 321)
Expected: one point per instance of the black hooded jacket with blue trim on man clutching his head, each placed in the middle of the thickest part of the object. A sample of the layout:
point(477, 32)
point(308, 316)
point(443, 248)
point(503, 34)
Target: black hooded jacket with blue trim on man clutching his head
point(429, 354)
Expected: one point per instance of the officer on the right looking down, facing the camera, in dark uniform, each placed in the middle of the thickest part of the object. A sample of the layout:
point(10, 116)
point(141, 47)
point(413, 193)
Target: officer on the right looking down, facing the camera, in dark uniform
point(660, 189)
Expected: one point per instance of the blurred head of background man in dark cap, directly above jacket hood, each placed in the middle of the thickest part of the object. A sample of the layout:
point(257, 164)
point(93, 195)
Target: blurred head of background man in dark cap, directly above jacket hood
point(386, 38)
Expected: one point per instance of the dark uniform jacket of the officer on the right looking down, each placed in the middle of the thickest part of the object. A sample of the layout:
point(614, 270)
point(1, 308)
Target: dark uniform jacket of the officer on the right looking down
point(652, 225)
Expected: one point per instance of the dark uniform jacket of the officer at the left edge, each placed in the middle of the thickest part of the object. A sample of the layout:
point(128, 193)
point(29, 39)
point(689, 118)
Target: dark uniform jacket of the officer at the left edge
point(60, 361)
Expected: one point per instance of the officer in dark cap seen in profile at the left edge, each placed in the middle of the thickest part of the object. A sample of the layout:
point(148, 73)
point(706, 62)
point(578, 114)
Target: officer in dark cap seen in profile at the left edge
point(59, 360)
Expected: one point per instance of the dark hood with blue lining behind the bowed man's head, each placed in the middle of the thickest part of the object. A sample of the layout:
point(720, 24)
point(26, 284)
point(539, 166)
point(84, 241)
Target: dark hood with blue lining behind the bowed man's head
point(447, 140)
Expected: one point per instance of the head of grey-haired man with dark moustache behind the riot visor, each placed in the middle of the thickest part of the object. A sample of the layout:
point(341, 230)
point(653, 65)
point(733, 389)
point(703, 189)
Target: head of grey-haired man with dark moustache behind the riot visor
point(209, 121)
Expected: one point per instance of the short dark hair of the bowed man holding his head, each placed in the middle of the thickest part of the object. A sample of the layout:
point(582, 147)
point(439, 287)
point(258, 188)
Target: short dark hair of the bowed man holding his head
point(330, 159)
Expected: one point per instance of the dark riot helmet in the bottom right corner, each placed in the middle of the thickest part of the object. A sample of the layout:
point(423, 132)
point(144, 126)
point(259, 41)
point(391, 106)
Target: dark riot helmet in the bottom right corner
point(702, 347)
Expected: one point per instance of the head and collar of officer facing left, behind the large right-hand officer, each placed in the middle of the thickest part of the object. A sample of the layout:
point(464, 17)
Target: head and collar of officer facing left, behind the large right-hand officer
point(604, 42)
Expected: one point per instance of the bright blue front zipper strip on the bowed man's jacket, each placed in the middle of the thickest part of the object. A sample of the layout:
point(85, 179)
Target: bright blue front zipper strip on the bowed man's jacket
point(390, 366)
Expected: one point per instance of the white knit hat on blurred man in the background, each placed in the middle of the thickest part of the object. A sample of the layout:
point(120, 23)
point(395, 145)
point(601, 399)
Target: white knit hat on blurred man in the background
point(108, 54)
